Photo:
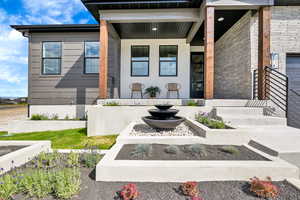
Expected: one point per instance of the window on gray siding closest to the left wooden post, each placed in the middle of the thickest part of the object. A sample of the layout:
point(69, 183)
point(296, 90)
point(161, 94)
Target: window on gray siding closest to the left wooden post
point(91, 57)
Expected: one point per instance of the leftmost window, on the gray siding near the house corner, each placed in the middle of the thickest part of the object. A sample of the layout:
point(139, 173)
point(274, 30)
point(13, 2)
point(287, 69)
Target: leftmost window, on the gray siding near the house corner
point(51, 58)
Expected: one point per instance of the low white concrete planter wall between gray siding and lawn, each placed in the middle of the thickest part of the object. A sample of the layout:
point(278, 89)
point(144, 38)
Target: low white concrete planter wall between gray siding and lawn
point(27, 126)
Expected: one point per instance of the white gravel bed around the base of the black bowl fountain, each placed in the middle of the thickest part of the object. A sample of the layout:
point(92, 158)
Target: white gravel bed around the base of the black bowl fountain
point(145, 130)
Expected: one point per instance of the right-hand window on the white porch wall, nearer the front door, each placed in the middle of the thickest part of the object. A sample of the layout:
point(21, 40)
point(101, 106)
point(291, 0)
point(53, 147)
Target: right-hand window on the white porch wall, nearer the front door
point(168, 60)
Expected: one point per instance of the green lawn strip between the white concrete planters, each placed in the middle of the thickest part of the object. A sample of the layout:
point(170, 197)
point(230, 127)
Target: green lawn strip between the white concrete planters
point(67, 139)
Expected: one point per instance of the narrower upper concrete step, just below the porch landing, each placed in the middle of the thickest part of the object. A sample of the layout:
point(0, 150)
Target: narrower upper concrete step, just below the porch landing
point(239, 111)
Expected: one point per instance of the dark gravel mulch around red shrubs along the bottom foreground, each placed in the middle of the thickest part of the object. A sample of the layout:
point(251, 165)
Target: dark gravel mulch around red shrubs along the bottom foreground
point(230, 190)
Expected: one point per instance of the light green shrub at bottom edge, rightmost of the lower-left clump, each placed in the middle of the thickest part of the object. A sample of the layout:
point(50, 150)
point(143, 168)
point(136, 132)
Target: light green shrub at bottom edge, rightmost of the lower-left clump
point(66, 183)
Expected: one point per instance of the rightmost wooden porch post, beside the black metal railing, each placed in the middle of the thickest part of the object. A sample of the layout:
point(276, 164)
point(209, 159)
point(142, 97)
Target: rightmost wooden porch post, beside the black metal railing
point(264, 33)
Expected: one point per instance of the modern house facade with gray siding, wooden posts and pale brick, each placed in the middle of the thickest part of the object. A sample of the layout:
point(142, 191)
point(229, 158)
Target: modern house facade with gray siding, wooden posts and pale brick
point(208, 48)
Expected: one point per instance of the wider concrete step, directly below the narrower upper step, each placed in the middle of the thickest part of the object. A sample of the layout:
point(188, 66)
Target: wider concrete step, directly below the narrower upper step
point(252, 120)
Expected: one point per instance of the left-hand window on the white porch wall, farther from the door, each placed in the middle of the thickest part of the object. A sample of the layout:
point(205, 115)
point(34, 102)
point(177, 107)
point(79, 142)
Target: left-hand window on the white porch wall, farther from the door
point(140, 61)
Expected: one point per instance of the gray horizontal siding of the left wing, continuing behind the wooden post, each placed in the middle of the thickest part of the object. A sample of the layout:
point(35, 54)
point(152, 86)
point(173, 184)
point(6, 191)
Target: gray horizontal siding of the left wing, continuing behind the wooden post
point(72, 86)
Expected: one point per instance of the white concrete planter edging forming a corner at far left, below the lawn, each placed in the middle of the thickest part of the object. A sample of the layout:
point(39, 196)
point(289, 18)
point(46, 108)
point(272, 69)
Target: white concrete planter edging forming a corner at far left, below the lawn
point(21, 156)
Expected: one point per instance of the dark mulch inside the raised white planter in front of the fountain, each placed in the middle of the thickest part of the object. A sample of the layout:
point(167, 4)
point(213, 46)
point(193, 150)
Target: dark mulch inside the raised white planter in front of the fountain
point(214, 152)
